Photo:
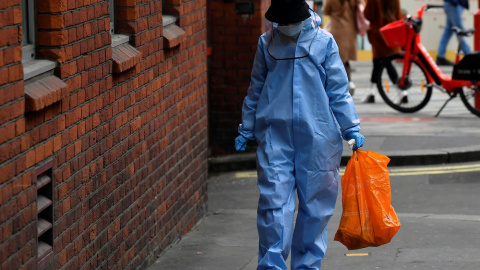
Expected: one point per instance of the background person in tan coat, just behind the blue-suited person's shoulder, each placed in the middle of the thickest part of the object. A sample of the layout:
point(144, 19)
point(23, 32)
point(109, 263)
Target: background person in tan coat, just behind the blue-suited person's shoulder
point(344, 31)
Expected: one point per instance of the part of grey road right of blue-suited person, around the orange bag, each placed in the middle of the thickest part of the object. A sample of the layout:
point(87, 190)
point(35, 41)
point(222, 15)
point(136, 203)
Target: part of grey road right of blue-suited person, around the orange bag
point(439, 209)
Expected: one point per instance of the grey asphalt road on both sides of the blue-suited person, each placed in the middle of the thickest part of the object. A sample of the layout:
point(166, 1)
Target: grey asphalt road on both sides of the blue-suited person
point(438, 207)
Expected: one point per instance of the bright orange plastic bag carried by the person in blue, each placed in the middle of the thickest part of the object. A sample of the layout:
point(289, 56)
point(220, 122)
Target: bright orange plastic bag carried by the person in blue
point(368, 218)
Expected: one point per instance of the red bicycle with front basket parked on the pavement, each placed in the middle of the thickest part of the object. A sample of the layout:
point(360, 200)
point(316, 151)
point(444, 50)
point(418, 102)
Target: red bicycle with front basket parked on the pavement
point(405, 80)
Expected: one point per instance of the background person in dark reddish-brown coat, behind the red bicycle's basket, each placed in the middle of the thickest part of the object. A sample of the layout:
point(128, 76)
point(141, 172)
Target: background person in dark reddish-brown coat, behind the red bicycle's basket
point(379, 13)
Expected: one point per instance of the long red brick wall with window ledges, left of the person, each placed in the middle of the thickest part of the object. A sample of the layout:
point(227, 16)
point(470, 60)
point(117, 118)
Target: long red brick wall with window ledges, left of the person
point(129, 149)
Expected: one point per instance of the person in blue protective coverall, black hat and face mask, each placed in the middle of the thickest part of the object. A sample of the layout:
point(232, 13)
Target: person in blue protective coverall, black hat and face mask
point(298, 108)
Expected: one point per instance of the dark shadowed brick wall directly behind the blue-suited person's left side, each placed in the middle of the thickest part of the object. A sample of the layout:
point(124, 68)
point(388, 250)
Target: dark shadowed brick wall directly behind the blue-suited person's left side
point(233, 38)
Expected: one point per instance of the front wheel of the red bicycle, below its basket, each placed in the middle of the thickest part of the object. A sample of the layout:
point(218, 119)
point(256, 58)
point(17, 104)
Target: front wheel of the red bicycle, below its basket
point(410, 98)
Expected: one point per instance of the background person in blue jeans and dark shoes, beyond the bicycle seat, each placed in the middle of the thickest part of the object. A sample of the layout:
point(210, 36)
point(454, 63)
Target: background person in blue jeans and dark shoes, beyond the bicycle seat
point(453, 10)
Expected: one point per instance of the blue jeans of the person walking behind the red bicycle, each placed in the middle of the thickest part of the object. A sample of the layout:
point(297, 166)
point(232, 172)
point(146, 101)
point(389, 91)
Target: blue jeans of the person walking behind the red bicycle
point(454, 19)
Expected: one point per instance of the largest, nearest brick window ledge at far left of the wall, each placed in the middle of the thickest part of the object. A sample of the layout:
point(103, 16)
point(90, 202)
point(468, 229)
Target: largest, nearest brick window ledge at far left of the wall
point(44, 92)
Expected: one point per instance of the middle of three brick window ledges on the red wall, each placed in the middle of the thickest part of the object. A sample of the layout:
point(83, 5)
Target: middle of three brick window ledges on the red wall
point(125, 57)
